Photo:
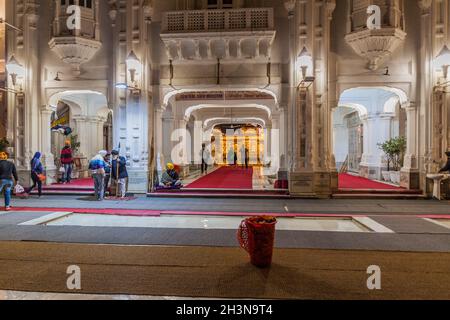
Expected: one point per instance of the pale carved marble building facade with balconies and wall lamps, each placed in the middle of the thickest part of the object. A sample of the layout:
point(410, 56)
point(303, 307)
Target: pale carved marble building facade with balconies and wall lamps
point(287, 66)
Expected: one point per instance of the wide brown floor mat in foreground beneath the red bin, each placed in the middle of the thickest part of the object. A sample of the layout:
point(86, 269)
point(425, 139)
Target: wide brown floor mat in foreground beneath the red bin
point(223, 272)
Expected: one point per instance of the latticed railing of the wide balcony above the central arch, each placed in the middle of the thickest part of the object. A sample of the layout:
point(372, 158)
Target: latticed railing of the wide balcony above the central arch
point(250, 19)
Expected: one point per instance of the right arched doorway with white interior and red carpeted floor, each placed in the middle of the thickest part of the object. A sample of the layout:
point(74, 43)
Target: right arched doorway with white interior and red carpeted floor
point(366, 119)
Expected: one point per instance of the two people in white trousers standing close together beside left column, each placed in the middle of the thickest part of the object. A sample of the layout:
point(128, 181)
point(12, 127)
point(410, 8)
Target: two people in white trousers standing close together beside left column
point(105, 167)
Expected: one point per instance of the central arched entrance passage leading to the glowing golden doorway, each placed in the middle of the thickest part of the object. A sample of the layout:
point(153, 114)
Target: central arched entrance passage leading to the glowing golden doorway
point(230, 124)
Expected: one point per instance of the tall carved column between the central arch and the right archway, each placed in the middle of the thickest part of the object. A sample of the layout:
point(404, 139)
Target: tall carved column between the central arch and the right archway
point(311, 174)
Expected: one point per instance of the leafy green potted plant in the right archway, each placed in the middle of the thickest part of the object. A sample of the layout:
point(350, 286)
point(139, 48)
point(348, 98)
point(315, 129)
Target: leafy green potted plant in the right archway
point(395, 150)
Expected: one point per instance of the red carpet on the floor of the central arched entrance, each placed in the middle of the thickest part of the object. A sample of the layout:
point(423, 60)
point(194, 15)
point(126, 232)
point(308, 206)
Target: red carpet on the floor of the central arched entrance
point(225, 178)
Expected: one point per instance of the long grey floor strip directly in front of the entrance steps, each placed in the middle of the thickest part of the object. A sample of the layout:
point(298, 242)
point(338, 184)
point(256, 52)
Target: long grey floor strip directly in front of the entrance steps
point(374, 207)
